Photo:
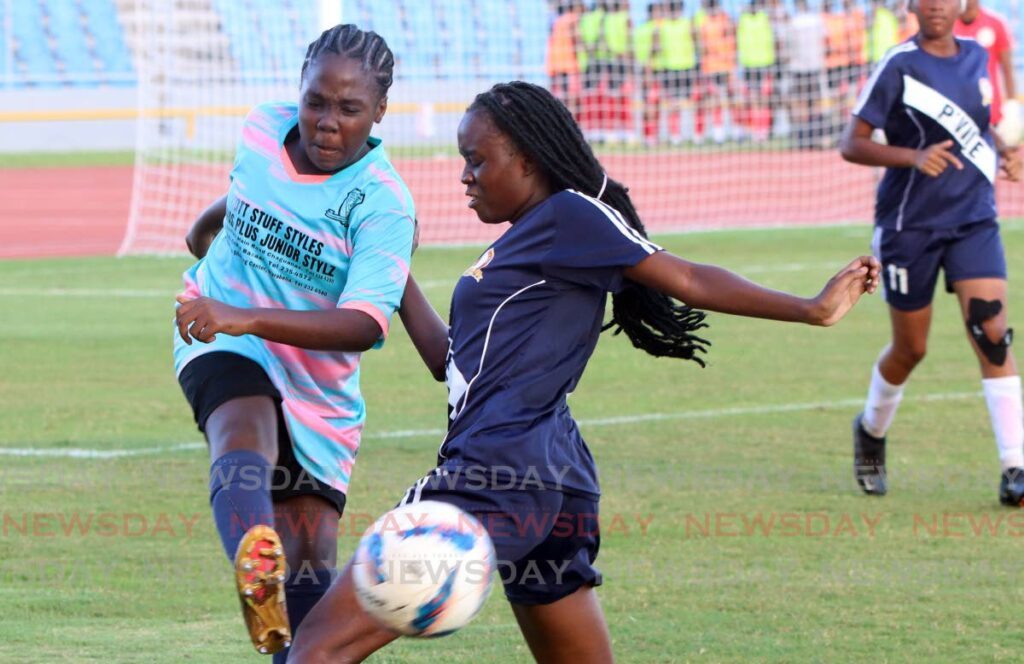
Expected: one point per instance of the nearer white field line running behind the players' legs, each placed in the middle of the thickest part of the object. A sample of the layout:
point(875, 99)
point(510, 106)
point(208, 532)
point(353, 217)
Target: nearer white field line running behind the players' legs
point(78, 453)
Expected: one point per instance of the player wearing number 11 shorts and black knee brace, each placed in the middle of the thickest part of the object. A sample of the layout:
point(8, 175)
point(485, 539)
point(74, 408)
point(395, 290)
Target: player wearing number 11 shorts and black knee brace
point(936, 209)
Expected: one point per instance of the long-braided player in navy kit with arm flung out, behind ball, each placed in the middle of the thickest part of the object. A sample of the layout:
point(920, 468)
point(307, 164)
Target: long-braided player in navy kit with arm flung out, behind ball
point(526, 318)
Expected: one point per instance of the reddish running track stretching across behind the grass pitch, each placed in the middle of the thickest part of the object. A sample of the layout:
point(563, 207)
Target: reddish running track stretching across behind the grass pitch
point(84, 212)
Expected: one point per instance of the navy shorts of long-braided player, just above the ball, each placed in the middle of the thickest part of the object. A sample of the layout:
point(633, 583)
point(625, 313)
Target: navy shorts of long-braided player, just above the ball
point(546, 542)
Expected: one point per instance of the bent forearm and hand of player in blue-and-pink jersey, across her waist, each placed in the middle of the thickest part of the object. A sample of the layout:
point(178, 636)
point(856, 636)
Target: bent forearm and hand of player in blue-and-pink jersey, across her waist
point(342, 329)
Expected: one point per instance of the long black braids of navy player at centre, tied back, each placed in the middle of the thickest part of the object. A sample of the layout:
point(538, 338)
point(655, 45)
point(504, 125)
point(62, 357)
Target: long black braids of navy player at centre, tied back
point(544, 130)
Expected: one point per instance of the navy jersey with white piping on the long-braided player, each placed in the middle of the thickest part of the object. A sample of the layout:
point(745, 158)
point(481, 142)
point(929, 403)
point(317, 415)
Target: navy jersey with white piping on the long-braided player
point(526, 318)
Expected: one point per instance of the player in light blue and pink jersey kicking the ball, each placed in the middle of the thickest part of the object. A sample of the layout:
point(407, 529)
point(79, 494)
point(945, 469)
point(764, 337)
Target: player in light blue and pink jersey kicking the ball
point(302, 266)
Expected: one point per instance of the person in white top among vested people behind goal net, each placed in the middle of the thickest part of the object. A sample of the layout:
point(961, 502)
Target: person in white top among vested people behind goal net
point(805, 64)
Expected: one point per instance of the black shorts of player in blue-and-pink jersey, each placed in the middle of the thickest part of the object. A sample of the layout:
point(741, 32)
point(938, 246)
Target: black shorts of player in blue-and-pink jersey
point(216, 379)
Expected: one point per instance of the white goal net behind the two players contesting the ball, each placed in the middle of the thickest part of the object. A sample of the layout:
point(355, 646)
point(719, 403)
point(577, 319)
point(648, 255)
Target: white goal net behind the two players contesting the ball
point(711, 118)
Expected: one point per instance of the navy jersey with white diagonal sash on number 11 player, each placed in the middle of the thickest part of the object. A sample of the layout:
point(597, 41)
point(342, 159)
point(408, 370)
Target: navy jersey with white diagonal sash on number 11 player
point(920, 100)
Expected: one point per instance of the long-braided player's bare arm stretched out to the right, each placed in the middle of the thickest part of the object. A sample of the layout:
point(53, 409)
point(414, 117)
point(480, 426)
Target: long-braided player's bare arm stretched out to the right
point(716, 289)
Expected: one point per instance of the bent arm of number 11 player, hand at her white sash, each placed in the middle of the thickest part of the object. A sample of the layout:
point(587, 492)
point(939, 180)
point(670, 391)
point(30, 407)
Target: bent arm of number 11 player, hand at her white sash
point(857, 147)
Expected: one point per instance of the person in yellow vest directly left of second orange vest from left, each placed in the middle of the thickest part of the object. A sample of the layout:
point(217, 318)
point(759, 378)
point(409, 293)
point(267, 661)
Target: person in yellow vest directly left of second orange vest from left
point(676, 64)
